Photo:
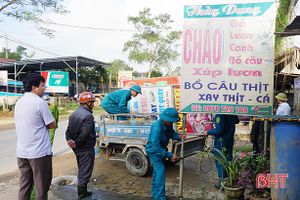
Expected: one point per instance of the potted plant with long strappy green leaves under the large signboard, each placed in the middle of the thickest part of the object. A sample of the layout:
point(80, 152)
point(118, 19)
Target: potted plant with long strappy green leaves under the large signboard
point(233, 189)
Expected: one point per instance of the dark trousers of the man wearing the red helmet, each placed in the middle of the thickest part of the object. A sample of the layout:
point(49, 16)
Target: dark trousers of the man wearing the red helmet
point(85, 163)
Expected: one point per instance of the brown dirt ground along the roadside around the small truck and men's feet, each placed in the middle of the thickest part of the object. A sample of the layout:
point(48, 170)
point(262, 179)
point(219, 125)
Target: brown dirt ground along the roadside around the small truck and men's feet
point(112, 176)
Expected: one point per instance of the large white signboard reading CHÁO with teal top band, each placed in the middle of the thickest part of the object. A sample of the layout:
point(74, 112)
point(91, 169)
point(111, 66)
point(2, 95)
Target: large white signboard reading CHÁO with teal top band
point(227, 57)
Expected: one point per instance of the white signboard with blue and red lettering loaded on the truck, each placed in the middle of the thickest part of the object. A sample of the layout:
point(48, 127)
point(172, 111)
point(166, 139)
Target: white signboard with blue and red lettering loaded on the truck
point(153, 100)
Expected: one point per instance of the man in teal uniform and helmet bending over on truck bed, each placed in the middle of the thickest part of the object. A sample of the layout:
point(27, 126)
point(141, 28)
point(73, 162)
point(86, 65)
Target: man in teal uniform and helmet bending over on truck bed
point(116, 102)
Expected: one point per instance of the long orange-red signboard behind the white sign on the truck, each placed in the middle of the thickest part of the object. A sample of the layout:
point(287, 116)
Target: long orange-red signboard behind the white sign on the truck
point(157, 81)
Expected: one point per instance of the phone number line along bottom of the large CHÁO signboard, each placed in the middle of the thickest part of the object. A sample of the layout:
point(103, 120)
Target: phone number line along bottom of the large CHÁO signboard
point(221, 109)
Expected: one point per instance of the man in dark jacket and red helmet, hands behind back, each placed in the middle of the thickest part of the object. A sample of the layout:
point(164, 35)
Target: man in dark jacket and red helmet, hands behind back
point(81, 137)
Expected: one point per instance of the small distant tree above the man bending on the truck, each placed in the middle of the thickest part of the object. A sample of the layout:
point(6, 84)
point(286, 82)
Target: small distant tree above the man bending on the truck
point(115, 67)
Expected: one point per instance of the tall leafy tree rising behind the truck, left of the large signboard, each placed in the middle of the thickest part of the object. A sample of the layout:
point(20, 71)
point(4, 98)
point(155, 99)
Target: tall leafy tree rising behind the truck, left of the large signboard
point(154, 44)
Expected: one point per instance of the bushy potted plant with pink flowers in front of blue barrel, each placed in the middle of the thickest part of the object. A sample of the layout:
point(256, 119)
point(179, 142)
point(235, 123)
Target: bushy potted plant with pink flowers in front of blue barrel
point(252, 165)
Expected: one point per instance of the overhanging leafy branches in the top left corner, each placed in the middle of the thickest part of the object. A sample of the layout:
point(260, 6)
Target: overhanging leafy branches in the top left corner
point(32, 10)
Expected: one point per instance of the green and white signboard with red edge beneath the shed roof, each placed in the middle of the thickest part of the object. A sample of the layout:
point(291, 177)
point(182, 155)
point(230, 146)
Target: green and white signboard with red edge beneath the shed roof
point(56, 81)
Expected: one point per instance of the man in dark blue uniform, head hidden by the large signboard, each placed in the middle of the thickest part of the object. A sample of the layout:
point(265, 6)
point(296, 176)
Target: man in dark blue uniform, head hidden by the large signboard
point(223, 140)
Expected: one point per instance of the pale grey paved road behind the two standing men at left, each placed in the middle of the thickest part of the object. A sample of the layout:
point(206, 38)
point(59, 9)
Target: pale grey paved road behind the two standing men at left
point(8, 142)
